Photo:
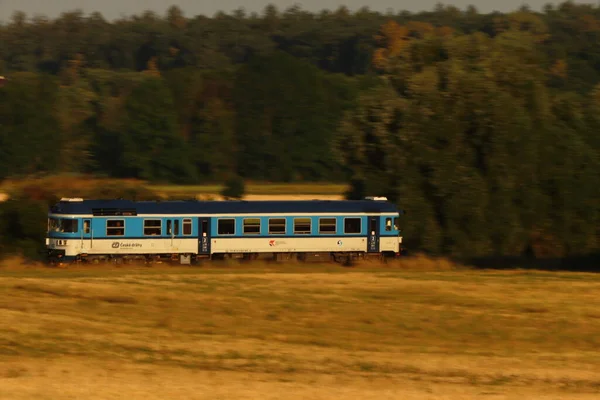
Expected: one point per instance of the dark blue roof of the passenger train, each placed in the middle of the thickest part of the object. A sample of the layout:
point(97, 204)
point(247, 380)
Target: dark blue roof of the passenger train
point(129, 207)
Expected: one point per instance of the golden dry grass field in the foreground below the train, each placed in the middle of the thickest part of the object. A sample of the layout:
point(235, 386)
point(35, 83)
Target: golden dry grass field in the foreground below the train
point(417, 330)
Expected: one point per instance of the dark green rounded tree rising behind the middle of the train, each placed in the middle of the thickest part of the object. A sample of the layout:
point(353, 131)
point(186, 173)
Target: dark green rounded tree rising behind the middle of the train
point(285, 119)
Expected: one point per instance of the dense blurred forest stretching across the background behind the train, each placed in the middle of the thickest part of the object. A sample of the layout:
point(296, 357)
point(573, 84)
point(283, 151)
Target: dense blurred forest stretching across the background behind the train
point(484, 127)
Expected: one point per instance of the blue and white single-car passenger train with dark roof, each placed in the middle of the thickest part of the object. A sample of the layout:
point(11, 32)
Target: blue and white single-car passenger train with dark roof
point(191, 231)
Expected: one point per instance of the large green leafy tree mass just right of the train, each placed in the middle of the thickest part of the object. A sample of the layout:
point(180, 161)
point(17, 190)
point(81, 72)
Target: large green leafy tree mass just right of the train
point(471, 146)
